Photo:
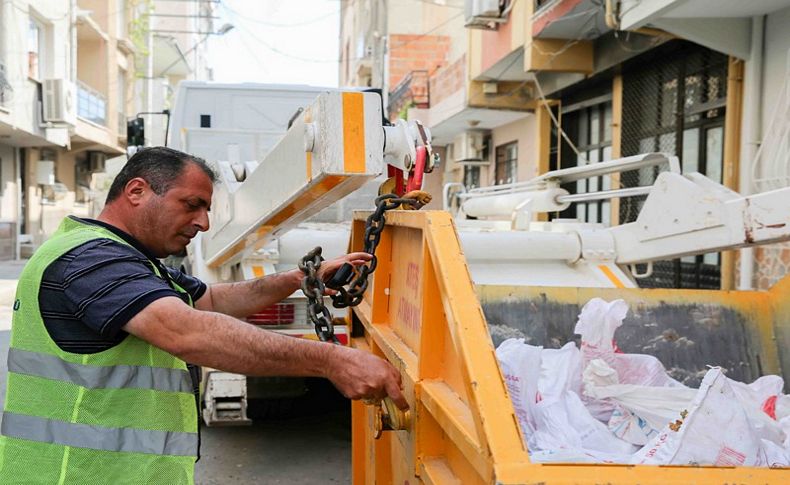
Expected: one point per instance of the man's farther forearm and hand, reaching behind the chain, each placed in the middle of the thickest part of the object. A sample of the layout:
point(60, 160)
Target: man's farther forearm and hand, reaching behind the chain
point(247, 297)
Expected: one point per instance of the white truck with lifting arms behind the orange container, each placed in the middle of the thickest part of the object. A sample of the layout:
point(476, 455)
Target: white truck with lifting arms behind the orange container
point(286, 153)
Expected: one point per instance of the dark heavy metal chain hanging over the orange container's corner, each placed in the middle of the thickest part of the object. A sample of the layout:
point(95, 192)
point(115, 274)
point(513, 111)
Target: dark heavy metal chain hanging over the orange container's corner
point(313, 287)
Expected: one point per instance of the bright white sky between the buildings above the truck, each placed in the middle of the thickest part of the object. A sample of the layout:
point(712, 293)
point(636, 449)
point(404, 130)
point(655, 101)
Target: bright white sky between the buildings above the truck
point(277, 41)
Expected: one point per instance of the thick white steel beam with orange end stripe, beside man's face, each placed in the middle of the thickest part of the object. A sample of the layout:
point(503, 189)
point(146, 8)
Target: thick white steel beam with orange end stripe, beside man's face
point(332, 148)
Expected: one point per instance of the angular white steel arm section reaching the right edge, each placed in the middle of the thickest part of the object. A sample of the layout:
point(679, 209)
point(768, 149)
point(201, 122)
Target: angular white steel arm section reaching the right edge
point(688, 215)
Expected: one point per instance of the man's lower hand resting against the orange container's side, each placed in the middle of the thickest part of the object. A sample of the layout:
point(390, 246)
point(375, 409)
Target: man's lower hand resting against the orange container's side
point(360, 375)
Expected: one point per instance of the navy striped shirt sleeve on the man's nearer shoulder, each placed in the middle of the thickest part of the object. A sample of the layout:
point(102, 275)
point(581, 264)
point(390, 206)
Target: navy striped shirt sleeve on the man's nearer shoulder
point(108, 283)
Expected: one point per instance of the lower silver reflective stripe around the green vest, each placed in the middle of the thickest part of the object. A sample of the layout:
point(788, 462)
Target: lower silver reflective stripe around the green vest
point(98, 437)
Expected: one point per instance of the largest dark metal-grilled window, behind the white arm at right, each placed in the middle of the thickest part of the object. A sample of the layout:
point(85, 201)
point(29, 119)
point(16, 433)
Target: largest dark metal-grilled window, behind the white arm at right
point(674, 103)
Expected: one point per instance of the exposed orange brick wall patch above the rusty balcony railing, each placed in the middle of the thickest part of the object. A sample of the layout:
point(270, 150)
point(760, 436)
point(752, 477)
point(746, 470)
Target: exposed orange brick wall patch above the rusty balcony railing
point(415, 53)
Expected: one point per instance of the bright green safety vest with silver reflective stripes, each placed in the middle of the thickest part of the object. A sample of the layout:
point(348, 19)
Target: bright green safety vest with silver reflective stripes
point(123, 415)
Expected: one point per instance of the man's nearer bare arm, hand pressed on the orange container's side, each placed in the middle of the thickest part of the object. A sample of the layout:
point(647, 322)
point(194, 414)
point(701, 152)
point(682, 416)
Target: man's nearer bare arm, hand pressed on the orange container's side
point(221, 342)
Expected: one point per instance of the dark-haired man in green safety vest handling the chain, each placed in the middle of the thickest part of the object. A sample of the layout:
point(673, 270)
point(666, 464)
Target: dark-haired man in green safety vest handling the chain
point(98, 386)
